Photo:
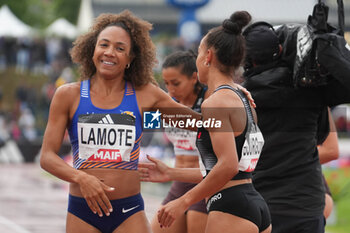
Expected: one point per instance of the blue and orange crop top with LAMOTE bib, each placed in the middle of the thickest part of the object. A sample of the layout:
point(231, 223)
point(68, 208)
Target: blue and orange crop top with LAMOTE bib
point(106, 138)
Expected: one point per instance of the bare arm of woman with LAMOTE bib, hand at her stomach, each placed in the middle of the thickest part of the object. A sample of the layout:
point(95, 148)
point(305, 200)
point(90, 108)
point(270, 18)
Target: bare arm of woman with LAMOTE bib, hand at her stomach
point(92, 188)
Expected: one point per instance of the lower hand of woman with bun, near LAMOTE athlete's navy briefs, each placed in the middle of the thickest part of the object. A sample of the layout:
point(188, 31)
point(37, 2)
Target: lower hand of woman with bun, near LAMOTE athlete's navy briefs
point(168, 213)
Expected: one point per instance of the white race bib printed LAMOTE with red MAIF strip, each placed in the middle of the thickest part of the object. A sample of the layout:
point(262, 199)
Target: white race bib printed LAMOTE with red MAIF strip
point(106, 137)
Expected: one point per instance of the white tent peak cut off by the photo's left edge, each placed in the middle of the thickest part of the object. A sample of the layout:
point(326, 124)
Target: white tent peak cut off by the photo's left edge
point(10, 25)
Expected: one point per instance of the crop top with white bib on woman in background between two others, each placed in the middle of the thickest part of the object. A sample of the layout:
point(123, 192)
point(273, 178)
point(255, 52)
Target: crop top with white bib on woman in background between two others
point(184, 141)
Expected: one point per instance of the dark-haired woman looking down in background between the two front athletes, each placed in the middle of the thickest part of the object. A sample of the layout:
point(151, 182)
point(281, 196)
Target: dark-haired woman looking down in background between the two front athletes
point(179, 74)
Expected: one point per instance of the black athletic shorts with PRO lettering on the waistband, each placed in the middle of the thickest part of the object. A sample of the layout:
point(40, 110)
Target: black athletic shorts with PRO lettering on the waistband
point(242, 201)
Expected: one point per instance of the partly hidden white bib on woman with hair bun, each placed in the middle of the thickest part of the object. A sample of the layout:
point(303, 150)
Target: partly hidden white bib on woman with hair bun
point(251, 150)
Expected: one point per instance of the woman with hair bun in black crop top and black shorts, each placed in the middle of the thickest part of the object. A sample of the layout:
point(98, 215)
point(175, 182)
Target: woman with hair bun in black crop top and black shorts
point(230, 152)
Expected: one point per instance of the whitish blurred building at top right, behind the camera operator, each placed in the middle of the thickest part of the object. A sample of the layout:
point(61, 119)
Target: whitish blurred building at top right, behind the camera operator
point(273, 11)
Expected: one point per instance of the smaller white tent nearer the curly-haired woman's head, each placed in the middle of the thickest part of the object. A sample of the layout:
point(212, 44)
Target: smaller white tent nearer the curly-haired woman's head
point(61, 27)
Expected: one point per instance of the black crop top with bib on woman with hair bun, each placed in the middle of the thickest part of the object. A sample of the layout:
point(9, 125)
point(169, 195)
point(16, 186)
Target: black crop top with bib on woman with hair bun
point(248, 144)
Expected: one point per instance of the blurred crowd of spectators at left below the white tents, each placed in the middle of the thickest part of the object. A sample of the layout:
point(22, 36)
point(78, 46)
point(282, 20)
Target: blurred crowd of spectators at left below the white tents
point(33, 57)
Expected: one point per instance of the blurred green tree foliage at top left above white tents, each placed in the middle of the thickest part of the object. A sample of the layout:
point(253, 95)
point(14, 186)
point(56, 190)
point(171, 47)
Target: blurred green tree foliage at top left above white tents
point(41, 13)
